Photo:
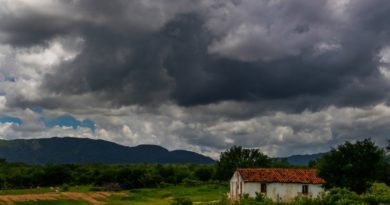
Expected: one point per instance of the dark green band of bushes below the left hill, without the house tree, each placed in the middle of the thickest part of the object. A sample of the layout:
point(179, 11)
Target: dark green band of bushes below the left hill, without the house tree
point(106, 177)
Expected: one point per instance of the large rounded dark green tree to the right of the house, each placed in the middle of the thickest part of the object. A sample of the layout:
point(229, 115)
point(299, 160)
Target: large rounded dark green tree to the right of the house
point(354, 166)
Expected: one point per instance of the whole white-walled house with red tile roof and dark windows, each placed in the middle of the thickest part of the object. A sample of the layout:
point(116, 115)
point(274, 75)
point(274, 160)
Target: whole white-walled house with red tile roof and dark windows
point(276, 183)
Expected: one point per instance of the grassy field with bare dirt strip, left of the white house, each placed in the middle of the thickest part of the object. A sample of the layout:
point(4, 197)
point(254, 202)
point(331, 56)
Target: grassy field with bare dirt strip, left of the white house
point(81, 196)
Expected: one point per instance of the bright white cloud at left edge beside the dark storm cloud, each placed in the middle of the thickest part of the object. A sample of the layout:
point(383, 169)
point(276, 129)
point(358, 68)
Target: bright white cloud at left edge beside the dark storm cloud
point(29, 66)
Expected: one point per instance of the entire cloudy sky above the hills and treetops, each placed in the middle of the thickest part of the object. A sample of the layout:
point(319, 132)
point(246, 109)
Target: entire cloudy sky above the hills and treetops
point(285, 76)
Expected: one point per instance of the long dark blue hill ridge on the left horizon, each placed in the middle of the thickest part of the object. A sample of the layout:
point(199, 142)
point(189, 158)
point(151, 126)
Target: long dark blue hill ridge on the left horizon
point(81, 150)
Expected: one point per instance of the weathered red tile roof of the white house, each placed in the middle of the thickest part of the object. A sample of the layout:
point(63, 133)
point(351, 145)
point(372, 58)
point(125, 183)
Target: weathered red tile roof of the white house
point(304, 176)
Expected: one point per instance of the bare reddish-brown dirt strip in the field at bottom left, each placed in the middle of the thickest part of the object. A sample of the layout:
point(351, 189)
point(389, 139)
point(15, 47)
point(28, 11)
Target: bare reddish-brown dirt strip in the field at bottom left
point(95, 198)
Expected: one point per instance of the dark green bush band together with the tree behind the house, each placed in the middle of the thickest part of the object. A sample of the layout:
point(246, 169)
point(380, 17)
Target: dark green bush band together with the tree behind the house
point(106, 177)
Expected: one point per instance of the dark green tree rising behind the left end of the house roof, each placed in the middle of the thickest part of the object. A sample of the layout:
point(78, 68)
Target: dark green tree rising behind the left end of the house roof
point(238, 157)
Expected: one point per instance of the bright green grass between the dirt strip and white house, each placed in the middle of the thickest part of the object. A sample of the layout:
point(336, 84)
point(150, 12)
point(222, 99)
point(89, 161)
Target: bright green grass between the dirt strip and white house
point(163, 196)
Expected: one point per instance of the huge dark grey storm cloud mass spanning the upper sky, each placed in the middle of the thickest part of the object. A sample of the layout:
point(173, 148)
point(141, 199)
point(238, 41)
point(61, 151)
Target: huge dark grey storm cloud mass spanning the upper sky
point(127, 59)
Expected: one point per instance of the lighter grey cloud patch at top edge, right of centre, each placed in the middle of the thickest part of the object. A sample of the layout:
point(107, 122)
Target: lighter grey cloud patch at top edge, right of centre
point(255, 30)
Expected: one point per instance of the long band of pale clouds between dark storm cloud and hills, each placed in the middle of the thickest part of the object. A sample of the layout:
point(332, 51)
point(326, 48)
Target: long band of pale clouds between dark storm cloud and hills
point(277, 134)
